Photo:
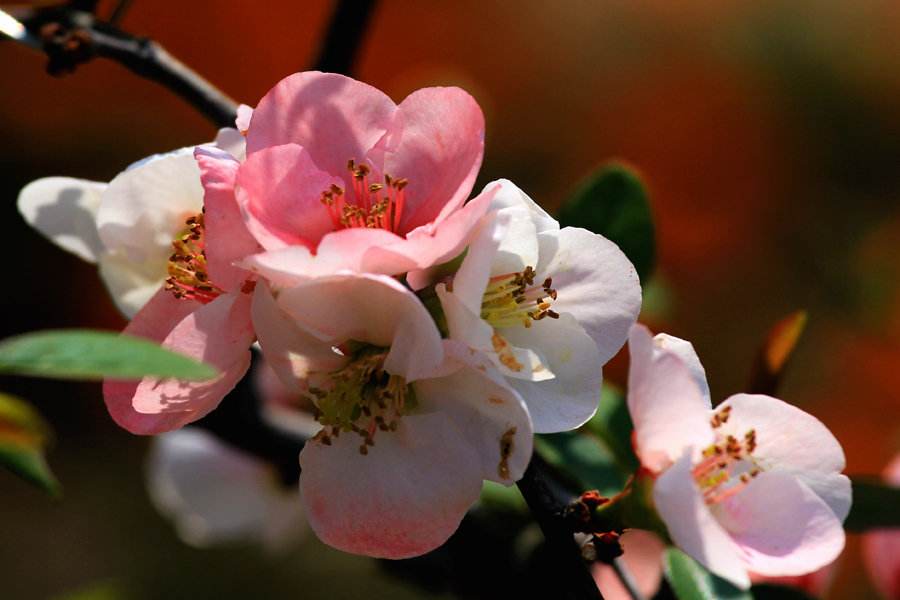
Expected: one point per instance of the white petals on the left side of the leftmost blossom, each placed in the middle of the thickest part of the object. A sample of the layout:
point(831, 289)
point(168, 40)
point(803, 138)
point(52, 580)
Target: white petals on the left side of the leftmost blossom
point(126, 226)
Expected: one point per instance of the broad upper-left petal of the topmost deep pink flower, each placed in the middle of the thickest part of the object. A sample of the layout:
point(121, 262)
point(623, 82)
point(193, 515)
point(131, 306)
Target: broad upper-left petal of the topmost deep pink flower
point(334, 117)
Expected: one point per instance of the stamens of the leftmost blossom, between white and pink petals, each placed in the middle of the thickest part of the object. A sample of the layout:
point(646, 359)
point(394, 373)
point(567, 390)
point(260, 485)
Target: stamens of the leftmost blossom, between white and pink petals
point(188, 278)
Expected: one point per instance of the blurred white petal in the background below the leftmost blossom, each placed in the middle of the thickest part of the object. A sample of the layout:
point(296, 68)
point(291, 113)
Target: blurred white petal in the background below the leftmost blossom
point(216, 494)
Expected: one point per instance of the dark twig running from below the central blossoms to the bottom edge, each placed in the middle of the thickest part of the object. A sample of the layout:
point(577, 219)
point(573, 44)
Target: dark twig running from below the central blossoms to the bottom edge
point(547, 499)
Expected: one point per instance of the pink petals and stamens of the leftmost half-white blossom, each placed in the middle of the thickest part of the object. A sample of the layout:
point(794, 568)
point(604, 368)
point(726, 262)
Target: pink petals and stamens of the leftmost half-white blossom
point(203, 310)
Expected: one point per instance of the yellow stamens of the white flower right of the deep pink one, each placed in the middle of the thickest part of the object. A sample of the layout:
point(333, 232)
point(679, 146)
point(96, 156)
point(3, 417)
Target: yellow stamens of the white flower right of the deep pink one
point(513, 299)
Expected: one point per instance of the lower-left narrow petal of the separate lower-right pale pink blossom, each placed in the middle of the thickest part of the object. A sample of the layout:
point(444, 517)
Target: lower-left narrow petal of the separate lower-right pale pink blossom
point(692, 526)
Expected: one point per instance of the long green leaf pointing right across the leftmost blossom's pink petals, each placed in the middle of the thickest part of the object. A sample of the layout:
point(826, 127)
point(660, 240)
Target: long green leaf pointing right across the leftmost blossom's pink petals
point(88, 354)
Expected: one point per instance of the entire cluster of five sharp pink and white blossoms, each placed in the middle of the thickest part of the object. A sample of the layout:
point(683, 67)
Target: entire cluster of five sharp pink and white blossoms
point(430, 334)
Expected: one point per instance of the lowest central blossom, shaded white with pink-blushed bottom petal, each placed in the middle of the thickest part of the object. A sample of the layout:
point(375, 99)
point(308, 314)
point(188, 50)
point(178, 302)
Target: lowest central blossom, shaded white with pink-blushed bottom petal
point(411, 424)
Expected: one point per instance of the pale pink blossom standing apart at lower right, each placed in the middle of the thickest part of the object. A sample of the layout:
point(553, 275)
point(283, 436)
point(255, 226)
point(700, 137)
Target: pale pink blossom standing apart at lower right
point(754, 485)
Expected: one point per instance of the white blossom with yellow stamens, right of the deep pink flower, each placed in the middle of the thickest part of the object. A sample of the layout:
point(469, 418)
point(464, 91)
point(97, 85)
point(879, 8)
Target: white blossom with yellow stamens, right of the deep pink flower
point(549, 306)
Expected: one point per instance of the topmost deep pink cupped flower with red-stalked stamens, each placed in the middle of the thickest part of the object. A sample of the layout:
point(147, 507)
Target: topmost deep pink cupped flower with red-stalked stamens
point(339, 177)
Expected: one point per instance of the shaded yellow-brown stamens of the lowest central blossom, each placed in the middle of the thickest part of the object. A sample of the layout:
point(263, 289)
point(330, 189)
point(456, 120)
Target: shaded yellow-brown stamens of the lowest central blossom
point(361, 397)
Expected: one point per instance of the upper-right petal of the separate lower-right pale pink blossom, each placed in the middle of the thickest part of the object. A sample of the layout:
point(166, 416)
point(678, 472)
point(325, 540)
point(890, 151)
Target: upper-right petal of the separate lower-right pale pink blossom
point(791, 440)
